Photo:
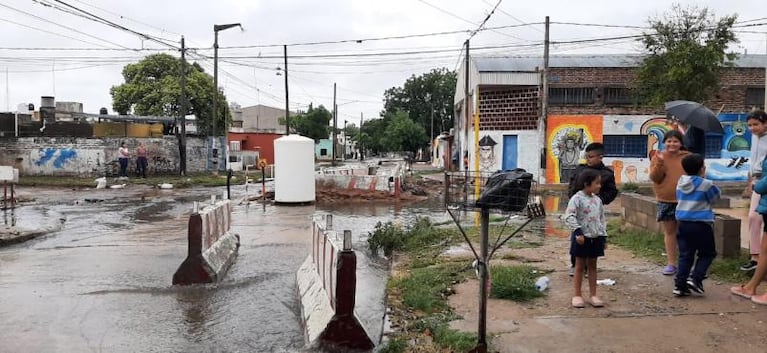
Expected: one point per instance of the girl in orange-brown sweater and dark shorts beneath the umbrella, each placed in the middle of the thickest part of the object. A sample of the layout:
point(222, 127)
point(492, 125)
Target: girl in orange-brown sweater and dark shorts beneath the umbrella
point(665, 170)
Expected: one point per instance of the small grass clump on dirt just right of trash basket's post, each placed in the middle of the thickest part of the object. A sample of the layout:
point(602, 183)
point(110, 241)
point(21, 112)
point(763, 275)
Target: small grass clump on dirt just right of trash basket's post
point(515, 283)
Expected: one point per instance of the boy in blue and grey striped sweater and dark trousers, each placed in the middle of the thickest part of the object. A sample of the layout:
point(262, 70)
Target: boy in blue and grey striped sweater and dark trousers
point(695, 195)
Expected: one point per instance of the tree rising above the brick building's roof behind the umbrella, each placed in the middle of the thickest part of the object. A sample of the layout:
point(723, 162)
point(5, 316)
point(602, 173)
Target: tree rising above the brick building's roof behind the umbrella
point(687, 50)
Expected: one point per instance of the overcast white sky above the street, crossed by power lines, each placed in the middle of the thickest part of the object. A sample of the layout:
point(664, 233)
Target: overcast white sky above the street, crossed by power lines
point(46, 48)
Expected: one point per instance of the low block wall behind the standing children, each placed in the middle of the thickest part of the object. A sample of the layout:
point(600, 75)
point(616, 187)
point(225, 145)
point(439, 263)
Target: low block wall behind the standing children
point(639, 212)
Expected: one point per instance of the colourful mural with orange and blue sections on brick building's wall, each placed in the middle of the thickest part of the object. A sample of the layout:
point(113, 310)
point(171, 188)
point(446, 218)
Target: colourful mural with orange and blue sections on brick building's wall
point(566, 133)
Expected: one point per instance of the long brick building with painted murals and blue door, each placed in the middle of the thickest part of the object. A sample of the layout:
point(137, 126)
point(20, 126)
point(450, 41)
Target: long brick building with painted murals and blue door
point(589, 100)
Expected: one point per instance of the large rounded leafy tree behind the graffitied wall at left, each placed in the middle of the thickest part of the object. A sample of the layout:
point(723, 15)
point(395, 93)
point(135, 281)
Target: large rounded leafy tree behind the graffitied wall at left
point(152, 87)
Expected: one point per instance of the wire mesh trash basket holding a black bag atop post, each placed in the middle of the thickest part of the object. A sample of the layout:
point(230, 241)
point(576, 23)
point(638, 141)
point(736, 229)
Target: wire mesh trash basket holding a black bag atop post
point(499, 192)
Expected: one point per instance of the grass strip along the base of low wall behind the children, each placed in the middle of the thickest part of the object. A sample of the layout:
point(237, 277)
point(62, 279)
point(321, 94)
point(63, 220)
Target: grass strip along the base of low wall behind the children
point(650, 245)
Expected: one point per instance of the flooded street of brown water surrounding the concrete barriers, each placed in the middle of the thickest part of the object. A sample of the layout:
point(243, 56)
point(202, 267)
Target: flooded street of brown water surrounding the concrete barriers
point(103, 282)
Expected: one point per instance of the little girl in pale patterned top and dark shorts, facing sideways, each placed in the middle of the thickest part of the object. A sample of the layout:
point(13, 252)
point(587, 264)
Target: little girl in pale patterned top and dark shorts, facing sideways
point(586, 216)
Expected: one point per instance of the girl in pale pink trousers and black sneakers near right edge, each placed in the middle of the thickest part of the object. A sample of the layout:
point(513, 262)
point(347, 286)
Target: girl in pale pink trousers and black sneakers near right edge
point(757, 124)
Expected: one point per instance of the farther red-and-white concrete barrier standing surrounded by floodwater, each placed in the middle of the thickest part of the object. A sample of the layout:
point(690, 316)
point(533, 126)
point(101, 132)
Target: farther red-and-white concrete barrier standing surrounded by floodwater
point(212, 248)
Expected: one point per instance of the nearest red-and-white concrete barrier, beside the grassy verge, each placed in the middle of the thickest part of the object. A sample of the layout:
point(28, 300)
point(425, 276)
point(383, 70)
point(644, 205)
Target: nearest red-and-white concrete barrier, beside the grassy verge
point(326, 283)
